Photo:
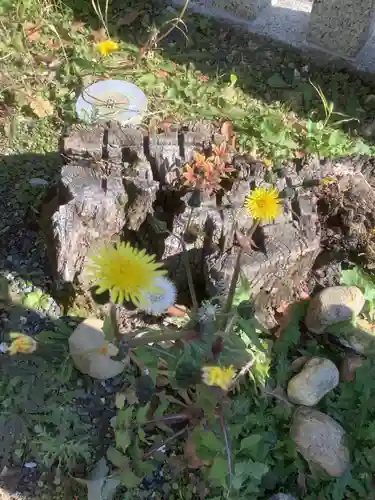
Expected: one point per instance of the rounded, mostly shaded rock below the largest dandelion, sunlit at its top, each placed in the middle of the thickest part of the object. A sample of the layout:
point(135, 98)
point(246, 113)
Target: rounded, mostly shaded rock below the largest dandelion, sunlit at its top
point(84, 344)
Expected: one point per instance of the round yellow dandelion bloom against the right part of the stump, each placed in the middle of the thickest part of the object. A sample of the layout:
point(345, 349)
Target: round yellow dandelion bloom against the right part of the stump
point(263, 204)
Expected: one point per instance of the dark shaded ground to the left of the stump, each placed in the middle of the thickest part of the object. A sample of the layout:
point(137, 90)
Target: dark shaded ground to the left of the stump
point(25, 181)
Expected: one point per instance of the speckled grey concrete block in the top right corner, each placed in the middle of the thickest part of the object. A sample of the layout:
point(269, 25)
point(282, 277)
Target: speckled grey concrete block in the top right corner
point(341, 26)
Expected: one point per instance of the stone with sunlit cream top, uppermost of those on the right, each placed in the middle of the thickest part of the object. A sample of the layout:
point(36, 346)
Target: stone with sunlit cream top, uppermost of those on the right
point(333, 305)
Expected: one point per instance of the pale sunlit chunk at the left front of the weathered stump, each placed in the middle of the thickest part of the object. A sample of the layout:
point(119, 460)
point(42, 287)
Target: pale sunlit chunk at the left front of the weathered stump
point(91, 217)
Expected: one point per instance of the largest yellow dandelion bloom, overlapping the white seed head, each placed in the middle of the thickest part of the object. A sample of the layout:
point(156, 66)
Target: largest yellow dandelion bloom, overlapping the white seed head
point(126, 272)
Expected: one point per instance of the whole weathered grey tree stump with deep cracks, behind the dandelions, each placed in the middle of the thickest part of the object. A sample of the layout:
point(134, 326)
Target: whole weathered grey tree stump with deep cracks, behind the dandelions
point(121, 182)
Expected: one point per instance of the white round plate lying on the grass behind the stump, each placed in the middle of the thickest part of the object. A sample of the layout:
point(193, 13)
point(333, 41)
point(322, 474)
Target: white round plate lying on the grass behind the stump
point(111, 100)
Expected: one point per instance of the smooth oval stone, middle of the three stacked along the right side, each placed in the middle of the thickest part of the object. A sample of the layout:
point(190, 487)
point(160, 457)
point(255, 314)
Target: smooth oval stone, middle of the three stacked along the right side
point(313, 382)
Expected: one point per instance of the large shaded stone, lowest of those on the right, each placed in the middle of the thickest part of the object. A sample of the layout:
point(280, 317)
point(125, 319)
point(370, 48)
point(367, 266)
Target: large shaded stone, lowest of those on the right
point(320, 440)
